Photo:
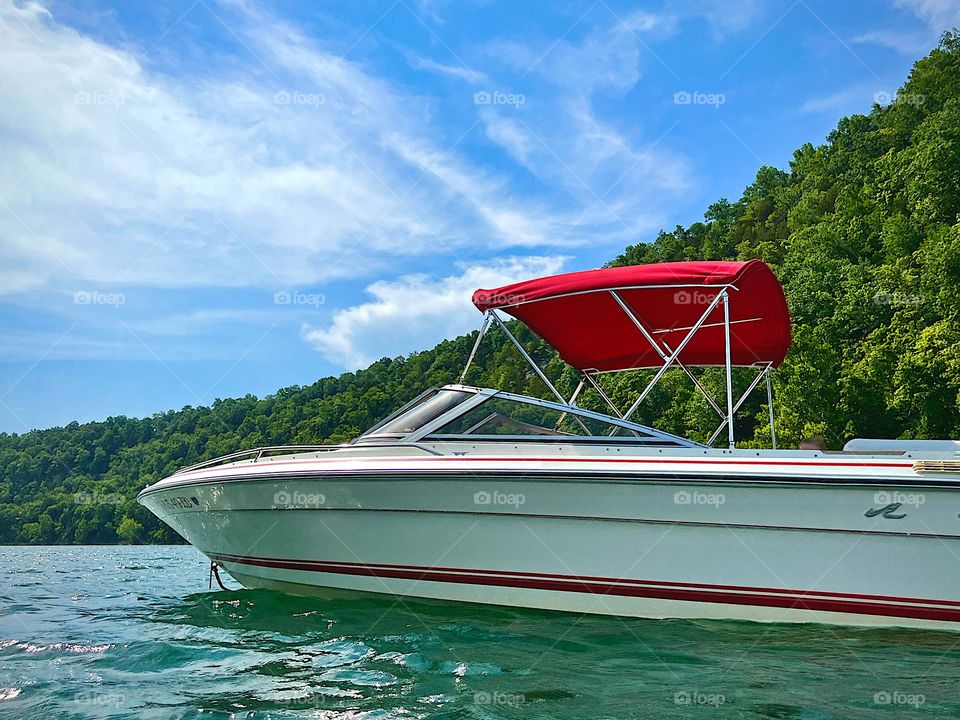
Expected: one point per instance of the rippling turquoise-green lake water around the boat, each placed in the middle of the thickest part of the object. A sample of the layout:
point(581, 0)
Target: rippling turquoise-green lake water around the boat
point(132, 632)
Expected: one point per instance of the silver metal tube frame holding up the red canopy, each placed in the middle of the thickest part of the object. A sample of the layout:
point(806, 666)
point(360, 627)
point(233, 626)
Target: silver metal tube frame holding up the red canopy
point(669, 355)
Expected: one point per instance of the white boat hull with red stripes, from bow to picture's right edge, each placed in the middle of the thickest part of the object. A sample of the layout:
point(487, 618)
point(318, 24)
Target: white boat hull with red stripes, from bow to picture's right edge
point(538, 534)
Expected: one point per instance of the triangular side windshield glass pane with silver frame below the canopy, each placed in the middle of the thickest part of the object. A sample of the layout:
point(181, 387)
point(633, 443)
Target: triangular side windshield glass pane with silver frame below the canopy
point(502, 416)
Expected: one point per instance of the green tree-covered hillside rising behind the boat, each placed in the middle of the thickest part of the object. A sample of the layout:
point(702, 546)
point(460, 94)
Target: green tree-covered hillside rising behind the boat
point(863, 232)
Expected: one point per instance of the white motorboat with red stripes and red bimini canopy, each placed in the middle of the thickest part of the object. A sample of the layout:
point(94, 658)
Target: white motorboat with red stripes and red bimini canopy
point(481, 495)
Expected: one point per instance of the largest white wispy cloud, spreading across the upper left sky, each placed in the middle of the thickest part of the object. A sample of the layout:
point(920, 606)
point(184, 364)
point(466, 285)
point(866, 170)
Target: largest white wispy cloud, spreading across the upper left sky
point(291, 171)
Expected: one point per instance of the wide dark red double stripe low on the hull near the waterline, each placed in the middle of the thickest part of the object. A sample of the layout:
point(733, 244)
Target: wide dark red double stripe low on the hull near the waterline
point(691, 592)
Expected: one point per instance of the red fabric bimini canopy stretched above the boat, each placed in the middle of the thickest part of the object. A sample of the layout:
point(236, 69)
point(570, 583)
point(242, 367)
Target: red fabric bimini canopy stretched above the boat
point(578, 314)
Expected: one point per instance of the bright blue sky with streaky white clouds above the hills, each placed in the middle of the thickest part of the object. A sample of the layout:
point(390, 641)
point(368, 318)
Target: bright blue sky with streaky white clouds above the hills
point(209, 198)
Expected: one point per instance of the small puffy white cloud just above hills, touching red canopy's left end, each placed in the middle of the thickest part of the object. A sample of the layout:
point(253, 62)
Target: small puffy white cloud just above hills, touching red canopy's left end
point(417, 311)
